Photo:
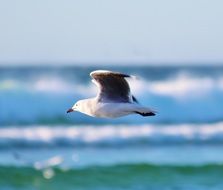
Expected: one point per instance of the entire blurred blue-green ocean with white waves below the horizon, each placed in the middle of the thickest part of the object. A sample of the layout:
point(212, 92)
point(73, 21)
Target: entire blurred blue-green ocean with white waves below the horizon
point(43, 147)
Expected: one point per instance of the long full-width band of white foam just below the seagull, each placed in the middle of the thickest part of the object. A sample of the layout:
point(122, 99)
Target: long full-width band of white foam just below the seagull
point(111, 135)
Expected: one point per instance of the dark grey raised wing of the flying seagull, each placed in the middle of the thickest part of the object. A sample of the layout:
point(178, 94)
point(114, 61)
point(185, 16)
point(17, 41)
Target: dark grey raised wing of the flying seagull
point(113, 86)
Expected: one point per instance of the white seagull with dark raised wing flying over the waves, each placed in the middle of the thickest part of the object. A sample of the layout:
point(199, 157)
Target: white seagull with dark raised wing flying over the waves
point(114, 98)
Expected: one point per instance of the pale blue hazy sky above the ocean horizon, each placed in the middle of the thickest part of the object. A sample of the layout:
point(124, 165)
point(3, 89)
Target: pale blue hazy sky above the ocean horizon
point(121, 31)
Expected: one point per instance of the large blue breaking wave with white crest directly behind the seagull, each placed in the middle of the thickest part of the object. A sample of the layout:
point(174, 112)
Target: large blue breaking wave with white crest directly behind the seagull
point(180, 98)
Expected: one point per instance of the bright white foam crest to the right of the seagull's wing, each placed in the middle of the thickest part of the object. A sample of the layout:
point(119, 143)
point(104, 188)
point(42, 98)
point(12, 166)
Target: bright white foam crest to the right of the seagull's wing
point(182, 86)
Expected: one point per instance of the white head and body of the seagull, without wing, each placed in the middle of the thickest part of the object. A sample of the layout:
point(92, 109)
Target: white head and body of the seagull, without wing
point(94, 108)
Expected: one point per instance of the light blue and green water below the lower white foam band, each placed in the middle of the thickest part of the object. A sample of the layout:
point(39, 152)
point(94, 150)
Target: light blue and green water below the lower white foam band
point(148, 167)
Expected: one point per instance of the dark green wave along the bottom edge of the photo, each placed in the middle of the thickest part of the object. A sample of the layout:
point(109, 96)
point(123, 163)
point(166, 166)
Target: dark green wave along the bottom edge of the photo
point(134, 176)
